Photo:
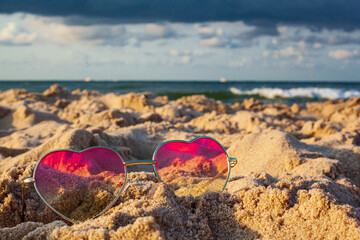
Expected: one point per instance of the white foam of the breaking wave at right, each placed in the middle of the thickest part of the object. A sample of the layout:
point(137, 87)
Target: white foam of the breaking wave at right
point(329, 93)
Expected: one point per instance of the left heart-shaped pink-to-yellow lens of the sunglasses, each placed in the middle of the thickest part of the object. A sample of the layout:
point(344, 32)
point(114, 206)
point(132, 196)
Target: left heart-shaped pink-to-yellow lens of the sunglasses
point(80, 185)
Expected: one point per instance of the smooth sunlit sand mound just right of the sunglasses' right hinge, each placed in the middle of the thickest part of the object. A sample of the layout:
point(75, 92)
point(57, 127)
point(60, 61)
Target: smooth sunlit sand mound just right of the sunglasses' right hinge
point(279, 154)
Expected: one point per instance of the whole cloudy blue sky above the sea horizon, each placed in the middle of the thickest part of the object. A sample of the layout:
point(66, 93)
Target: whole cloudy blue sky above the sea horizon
point(180, 40)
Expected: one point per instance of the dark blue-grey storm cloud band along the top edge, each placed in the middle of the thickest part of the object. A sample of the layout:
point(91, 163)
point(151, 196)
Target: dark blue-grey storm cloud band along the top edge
point(332, 14)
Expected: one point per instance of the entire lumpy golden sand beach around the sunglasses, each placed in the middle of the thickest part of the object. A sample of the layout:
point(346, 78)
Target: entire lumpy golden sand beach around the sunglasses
point(297, 177)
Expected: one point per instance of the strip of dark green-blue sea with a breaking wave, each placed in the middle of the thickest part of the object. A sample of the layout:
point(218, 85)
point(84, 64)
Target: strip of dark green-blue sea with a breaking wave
point(231, 91)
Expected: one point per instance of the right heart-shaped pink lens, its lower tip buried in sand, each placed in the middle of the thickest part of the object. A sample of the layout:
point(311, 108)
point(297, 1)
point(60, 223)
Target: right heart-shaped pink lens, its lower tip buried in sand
point(193, 168)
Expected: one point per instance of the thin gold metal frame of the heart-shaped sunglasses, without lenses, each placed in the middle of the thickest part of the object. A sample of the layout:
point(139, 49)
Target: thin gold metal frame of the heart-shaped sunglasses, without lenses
point(231, 163)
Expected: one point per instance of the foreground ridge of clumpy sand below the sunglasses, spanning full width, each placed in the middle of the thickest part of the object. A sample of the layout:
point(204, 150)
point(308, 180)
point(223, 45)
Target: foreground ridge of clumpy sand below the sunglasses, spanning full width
point(271, 210)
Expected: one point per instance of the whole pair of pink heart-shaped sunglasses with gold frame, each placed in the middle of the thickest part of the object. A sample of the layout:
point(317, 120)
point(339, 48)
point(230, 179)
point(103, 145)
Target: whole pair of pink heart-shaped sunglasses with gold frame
point(83, 185)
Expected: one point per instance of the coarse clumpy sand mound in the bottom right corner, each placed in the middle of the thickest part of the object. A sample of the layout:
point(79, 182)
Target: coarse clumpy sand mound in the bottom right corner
point(278, 212)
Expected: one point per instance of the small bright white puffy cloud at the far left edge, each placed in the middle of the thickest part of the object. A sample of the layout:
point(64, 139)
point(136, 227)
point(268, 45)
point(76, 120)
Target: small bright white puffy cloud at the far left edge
point(13, 35)
